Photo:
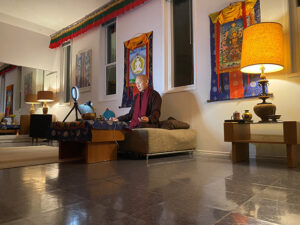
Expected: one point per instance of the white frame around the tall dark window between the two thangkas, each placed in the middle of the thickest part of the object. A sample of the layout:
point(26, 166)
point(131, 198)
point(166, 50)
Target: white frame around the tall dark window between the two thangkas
point(169, 43)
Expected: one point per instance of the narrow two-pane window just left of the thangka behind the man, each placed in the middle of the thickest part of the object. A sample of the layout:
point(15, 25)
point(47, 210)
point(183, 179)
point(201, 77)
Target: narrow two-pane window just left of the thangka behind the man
point(110, 59)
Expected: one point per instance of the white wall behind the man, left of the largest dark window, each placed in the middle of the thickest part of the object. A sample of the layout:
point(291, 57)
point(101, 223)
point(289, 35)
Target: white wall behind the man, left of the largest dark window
point(127, 26)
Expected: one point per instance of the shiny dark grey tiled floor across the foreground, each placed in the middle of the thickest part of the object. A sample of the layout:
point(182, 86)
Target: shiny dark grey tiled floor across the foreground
point(169, 190)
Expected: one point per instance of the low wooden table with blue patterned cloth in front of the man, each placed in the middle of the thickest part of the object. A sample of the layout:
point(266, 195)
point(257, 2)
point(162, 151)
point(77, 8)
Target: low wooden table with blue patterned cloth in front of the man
point(95, 141)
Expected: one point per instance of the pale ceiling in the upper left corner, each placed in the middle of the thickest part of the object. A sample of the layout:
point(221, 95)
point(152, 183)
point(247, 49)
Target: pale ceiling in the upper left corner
point(44, 16)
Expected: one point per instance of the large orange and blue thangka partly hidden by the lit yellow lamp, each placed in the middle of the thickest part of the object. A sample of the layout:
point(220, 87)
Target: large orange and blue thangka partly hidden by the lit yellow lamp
point(226, 29)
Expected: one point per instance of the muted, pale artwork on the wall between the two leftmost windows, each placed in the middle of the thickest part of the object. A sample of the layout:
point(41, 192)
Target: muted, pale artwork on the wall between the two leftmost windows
point(83, 78)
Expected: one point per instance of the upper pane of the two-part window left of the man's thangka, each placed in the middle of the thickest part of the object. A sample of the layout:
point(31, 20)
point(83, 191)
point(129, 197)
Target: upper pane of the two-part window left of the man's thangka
point(111, 43)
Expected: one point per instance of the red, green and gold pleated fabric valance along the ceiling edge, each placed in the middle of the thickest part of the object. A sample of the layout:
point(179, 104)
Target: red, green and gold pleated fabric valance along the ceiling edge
point(105, 13)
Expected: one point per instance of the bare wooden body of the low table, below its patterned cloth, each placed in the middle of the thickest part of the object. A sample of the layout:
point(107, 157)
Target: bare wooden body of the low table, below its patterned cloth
point(102, 147)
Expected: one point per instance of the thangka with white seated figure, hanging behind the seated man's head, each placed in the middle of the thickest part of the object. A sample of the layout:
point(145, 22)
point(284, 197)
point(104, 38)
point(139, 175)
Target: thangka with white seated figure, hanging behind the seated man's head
point(137, 61)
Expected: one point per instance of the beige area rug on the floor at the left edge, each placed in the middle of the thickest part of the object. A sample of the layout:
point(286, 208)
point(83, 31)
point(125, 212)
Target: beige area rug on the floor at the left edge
point(27, 156)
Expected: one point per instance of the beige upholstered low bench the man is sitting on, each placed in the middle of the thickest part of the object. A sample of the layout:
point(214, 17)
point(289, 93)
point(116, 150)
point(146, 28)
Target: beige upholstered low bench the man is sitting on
point(156, 141)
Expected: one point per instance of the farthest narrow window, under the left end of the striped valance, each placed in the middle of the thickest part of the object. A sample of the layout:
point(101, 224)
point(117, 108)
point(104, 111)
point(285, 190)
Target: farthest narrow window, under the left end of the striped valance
point(66, 72)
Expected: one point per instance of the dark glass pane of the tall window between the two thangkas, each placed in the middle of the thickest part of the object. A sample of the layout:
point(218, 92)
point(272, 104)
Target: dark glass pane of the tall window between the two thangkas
point(183, 43)
